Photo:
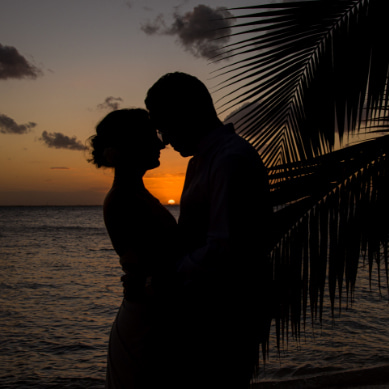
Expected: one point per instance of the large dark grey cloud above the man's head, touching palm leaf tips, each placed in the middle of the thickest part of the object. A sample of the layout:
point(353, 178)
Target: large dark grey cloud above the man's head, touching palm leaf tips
point(203, 32)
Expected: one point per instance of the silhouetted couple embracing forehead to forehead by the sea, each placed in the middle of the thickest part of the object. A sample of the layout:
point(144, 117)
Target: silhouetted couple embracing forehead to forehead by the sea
point(194, 308)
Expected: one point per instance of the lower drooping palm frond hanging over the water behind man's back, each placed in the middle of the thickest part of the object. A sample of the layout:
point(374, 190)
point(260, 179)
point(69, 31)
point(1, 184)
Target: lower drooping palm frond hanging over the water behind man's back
point(338, 212)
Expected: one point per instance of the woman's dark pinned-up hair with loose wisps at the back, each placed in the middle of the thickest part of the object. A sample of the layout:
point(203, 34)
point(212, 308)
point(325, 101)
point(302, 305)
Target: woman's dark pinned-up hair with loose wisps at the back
point(118, 131)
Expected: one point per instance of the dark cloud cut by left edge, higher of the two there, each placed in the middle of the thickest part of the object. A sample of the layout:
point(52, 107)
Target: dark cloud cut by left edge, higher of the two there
point(14, 65)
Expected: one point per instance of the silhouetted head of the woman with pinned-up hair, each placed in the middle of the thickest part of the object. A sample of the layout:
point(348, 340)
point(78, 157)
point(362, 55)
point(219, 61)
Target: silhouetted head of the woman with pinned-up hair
point(126, 139)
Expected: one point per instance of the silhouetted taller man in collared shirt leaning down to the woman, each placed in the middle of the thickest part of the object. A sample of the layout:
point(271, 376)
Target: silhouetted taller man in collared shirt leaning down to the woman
point(225, 220)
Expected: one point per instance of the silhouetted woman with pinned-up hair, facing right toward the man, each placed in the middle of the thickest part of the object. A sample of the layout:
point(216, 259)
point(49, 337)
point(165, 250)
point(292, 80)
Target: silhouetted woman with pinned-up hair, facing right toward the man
point(142, 232)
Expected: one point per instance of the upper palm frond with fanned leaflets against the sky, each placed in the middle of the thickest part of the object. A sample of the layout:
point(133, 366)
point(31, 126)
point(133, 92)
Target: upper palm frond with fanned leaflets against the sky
point(307, 68)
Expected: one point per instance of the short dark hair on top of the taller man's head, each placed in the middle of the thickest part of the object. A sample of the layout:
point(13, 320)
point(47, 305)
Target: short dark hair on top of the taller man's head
point(183, 92)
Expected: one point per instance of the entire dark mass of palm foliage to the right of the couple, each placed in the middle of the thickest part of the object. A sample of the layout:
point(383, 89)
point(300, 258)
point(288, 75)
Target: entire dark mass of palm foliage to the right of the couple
point(310, 75)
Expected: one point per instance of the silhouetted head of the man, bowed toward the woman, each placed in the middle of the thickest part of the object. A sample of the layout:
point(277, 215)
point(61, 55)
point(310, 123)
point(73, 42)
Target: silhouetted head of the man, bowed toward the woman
point(182, 109)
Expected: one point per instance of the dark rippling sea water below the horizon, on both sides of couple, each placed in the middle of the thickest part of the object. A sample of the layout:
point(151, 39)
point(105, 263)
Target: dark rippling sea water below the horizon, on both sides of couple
point(60, 290)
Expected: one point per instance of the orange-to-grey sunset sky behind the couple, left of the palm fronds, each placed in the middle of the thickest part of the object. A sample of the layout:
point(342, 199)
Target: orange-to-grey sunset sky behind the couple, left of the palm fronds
point(64, 65)
